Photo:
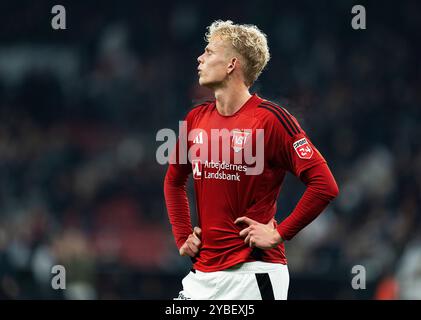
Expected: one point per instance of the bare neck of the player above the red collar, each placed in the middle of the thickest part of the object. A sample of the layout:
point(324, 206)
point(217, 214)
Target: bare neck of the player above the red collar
point(229, 99)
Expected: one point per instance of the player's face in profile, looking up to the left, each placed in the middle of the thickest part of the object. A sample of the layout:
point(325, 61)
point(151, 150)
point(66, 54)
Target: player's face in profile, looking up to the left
point(213, 63)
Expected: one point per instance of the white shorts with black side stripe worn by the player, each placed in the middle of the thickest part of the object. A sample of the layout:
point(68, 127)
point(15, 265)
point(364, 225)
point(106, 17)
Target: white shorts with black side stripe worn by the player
point(246, 281)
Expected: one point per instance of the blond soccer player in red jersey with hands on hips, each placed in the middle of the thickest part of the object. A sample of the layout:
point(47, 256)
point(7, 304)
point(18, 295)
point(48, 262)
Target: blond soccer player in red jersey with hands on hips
point(237, 248)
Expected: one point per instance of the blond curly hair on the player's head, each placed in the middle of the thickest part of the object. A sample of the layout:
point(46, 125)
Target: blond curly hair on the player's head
point(248, 40)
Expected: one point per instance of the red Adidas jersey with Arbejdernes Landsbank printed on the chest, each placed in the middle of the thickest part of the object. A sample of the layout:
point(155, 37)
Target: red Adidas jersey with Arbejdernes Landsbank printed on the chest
point(225, 192)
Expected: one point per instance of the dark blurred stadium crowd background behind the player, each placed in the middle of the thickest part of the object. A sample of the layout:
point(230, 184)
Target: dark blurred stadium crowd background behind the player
point(80, 108)
